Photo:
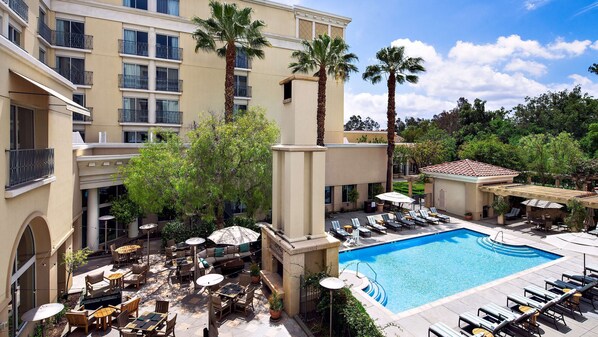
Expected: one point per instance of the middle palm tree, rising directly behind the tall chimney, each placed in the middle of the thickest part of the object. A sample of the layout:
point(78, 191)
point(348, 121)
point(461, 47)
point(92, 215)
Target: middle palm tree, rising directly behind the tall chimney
point(327, 56)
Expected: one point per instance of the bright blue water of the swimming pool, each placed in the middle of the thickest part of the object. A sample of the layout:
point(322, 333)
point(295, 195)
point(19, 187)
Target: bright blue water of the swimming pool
point(417, 271)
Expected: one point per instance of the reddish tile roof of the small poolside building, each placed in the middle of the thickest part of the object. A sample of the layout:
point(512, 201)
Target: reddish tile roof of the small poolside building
point(470, 168)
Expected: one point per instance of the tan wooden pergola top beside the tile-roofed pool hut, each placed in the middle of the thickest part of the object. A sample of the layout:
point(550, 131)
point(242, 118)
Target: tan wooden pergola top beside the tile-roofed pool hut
point(554, 194)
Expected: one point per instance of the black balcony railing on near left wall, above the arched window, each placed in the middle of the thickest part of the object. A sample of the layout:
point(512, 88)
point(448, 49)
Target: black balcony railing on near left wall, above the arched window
point(28, 165)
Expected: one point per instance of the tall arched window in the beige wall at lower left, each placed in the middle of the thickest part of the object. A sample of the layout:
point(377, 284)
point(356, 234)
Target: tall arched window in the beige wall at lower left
point(22, 282)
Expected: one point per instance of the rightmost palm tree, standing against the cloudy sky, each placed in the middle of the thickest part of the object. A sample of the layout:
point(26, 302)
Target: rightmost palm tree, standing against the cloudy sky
point(399, 69)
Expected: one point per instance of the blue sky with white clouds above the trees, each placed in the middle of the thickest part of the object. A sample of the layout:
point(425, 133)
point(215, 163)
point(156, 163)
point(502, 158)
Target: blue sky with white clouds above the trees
point(497, 50)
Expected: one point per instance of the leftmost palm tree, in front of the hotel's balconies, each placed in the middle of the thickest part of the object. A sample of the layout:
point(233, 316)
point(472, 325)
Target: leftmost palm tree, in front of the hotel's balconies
point(234, 28)
